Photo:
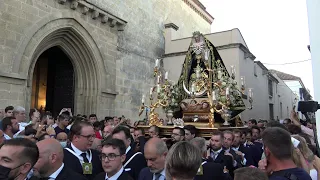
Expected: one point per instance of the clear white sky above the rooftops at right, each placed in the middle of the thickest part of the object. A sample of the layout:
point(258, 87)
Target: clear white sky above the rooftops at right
point(276, 31)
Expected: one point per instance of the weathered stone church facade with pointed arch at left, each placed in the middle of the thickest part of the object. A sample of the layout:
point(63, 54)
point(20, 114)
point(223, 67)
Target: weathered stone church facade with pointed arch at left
point(111, 45)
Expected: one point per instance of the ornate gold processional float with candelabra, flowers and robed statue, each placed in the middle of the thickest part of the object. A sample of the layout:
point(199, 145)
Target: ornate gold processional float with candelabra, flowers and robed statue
point(206, 95)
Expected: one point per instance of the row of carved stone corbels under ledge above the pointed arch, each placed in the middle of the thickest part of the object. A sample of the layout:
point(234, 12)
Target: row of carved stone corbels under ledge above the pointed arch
point(96, 13)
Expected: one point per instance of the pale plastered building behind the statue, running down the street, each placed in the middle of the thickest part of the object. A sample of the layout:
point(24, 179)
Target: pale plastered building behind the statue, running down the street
point(273, 99)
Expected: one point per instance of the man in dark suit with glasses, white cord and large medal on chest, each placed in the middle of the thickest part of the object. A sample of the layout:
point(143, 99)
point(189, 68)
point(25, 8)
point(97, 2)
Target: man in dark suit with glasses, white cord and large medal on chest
point(78, 156)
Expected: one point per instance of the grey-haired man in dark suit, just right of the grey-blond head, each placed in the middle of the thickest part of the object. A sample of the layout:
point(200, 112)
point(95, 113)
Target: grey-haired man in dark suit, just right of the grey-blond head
point(209, 170)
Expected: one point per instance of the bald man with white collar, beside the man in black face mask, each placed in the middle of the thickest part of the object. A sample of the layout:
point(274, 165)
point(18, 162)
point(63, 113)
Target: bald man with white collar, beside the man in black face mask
point(50, 163)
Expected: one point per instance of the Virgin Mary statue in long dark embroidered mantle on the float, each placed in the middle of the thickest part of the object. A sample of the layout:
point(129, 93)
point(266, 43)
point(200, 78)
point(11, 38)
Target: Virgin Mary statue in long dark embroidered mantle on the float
point(203, 61)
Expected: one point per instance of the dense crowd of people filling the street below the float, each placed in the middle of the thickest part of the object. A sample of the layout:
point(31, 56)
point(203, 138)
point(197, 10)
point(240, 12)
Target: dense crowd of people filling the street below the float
point(83, 148)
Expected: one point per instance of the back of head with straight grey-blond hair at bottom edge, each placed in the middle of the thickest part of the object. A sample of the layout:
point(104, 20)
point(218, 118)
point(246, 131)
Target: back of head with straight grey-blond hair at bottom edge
point(183, 161)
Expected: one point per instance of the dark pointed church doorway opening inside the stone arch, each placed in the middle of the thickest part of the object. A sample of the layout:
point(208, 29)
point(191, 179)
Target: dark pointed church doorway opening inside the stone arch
point(53, 82)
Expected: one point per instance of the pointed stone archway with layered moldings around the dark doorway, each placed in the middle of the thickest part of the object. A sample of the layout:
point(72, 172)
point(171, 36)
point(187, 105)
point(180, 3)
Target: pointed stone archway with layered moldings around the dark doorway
point(80, 47)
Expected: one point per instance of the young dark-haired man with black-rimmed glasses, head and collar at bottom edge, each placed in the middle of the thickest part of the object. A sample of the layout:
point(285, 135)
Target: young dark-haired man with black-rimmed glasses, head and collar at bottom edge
point(112, 157)
